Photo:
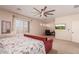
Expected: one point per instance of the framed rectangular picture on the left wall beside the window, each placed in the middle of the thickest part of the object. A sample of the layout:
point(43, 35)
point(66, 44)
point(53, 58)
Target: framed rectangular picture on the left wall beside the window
point(5, 27)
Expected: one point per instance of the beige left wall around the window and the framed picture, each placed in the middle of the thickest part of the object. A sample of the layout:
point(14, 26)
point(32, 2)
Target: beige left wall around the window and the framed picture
point(35, 27)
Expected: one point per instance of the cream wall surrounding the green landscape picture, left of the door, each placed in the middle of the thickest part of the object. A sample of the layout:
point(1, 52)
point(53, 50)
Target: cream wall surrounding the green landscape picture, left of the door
point(67, 33)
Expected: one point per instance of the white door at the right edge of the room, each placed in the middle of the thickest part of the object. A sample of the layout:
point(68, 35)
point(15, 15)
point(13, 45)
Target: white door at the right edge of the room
point(75, 31)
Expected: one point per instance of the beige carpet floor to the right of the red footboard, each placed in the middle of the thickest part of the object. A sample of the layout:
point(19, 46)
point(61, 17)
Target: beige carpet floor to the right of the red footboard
point(64, 47)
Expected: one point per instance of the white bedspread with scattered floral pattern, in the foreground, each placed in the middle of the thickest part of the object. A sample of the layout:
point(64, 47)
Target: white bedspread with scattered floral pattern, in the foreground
point(21, 45)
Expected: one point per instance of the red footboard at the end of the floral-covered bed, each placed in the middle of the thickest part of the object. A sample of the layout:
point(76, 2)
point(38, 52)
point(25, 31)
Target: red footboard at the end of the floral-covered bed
point(48, 43)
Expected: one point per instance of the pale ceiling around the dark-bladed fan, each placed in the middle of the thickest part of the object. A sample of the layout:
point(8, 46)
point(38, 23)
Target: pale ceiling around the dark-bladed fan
point(27, 10)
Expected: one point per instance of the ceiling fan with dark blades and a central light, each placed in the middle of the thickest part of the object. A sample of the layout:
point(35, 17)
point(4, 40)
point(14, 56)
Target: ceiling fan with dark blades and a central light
point(43, 11)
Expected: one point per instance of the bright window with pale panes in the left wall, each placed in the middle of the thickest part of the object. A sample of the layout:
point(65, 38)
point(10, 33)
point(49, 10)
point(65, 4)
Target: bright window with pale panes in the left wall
point(22, 26)
